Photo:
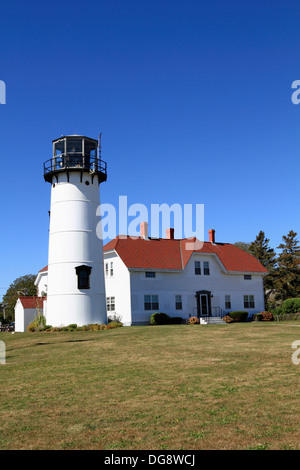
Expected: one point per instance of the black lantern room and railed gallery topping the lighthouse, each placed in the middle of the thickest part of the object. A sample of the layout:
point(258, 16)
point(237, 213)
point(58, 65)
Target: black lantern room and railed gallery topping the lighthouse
point(75, 153)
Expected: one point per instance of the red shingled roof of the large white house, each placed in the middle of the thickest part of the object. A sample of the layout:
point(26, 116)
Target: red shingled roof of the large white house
point(136, 252)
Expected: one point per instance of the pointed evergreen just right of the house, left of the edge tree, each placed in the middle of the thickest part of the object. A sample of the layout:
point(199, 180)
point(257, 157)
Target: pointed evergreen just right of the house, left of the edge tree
point(266, 255)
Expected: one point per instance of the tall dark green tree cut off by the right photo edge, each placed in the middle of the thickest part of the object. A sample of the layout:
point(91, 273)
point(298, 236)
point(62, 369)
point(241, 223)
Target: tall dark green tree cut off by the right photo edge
point(288, 276)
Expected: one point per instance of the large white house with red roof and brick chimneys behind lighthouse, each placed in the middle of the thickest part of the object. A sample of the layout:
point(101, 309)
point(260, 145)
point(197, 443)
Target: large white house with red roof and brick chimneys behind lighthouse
point(180, 277)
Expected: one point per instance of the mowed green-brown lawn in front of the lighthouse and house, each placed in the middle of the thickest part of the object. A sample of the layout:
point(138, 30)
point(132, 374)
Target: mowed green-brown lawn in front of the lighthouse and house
point(171, 387)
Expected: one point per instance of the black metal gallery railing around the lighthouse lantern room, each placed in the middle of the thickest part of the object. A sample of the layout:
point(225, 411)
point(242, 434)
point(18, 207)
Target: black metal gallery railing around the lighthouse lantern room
point(75, 162)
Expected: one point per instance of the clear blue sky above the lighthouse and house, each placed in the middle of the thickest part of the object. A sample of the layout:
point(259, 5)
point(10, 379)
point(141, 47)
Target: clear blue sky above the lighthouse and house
point(193, 98)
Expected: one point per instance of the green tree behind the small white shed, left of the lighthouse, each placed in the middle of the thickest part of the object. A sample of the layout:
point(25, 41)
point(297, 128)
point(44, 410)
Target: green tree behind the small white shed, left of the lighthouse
point(25, 286)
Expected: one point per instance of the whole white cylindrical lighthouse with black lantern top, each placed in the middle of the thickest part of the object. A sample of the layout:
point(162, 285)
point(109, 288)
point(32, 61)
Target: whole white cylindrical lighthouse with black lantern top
point(76, 289)
